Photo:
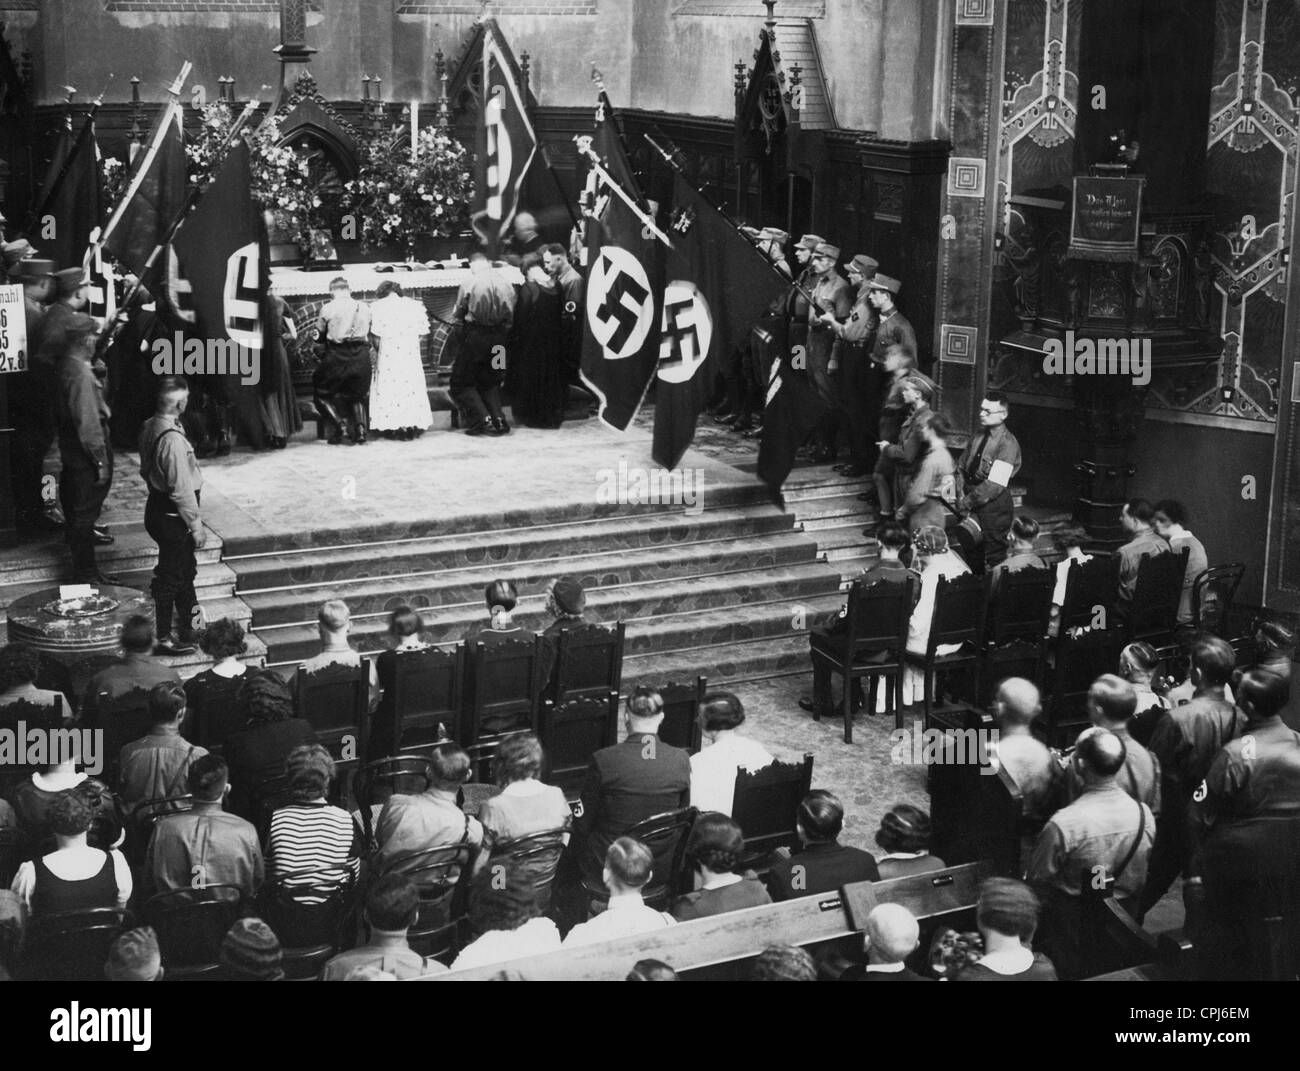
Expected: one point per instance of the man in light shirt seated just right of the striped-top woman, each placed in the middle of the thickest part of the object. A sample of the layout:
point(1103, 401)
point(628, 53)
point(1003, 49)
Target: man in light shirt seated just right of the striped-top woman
point(411, 825)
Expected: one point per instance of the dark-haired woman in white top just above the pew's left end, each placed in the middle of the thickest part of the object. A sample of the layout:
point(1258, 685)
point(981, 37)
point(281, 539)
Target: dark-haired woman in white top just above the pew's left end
point(505, 917)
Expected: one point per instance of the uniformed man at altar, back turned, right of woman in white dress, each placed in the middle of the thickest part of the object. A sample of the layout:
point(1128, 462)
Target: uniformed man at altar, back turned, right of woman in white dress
point(486, 310)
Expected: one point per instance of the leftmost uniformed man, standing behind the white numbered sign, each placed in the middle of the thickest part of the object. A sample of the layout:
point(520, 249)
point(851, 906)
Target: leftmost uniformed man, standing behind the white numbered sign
point(32, 406)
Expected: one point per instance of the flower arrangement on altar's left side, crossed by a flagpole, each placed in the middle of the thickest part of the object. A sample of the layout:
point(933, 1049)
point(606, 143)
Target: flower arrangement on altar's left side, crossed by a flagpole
point(283, 180)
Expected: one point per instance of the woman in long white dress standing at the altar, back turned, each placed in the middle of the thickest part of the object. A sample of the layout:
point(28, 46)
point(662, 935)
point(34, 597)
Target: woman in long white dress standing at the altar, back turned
point(400, 398)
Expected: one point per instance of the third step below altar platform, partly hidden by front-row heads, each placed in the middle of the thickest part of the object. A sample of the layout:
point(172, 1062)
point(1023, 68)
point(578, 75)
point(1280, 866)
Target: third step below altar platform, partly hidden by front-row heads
point(675, 615)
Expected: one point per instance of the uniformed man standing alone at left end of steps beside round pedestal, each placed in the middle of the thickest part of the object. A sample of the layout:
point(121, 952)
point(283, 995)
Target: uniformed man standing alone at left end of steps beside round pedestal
point(172, 517)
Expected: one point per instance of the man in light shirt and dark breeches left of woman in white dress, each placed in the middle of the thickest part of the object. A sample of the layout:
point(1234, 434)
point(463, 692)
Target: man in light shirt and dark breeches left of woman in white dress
point(343, 380)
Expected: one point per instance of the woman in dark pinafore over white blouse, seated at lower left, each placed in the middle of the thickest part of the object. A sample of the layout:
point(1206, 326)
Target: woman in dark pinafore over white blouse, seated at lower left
point(75, 877)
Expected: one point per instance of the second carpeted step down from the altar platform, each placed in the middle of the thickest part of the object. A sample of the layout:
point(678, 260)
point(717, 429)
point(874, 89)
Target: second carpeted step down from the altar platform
point(444, 591)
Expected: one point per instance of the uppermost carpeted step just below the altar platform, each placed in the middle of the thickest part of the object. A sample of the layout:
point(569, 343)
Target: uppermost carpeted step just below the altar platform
point(500, 549)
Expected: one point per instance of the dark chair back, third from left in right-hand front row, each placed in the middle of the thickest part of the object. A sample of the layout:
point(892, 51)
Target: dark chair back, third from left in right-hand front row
point(1016, 630)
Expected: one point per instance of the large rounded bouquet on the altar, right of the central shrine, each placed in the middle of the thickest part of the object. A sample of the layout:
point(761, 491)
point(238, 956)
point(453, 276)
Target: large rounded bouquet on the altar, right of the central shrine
point(400, 200)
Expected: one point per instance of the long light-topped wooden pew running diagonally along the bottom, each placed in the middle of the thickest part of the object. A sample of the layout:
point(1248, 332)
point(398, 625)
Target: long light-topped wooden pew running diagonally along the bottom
point(739, 936)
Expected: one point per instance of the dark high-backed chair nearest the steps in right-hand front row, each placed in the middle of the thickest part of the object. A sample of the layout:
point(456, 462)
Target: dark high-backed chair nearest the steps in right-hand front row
point(877, 626)
